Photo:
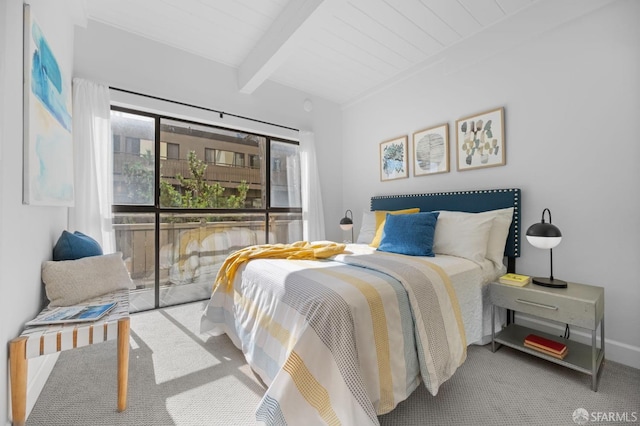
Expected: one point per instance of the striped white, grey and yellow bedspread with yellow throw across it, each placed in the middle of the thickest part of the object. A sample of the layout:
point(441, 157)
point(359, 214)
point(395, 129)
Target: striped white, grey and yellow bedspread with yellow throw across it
point(342, 340)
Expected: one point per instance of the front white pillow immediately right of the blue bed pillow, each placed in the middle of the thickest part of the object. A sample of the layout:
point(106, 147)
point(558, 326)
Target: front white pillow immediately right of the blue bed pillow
point(462, 234)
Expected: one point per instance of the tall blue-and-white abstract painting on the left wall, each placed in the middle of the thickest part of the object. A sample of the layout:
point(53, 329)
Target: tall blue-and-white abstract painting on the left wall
point(48, 145)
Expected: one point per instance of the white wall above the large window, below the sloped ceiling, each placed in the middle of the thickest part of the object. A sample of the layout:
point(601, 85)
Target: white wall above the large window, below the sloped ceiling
point(123, 60)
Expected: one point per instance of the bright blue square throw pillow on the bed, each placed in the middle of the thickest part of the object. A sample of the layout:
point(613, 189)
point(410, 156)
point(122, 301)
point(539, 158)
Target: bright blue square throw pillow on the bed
point(410, 234)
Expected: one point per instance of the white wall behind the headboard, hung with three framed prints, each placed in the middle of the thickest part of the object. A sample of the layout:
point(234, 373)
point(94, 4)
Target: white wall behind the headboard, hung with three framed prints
point(572, 102)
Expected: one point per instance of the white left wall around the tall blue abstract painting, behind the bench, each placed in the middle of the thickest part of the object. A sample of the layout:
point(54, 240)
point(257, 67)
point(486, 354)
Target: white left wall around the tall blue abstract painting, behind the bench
point(28, 233)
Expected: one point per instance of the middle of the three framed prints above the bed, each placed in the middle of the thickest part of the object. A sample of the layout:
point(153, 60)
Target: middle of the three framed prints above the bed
point(431, 150)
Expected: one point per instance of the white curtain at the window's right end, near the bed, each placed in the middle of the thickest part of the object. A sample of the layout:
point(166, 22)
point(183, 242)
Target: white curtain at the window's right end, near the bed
point(312, 210)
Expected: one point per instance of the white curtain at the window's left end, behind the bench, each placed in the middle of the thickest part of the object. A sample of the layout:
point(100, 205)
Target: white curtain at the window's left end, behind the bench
point(93, 161)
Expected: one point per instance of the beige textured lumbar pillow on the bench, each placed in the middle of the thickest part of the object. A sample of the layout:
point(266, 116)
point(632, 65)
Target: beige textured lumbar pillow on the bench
point(69, 282)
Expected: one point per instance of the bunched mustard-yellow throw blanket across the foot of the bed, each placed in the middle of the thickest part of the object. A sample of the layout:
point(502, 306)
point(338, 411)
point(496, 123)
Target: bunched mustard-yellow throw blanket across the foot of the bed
point(298, 250)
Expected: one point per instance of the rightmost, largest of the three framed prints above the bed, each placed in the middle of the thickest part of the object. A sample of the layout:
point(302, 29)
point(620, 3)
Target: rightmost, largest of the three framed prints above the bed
point(480, 140)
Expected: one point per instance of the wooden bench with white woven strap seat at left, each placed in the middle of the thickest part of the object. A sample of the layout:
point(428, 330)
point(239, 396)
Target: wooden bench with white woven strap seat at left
point(43, 340)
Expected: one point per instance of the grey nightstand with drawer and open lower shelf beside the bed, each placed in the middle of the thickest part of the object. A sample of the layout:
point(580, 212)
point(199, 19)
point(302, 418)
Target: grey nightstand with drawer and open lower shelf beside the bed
point(579, 305)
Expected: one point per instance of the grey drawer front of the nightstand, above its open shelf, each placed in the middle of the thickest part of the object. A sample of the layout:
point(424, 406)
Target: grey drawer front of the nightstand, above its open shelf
point(557, 305)
